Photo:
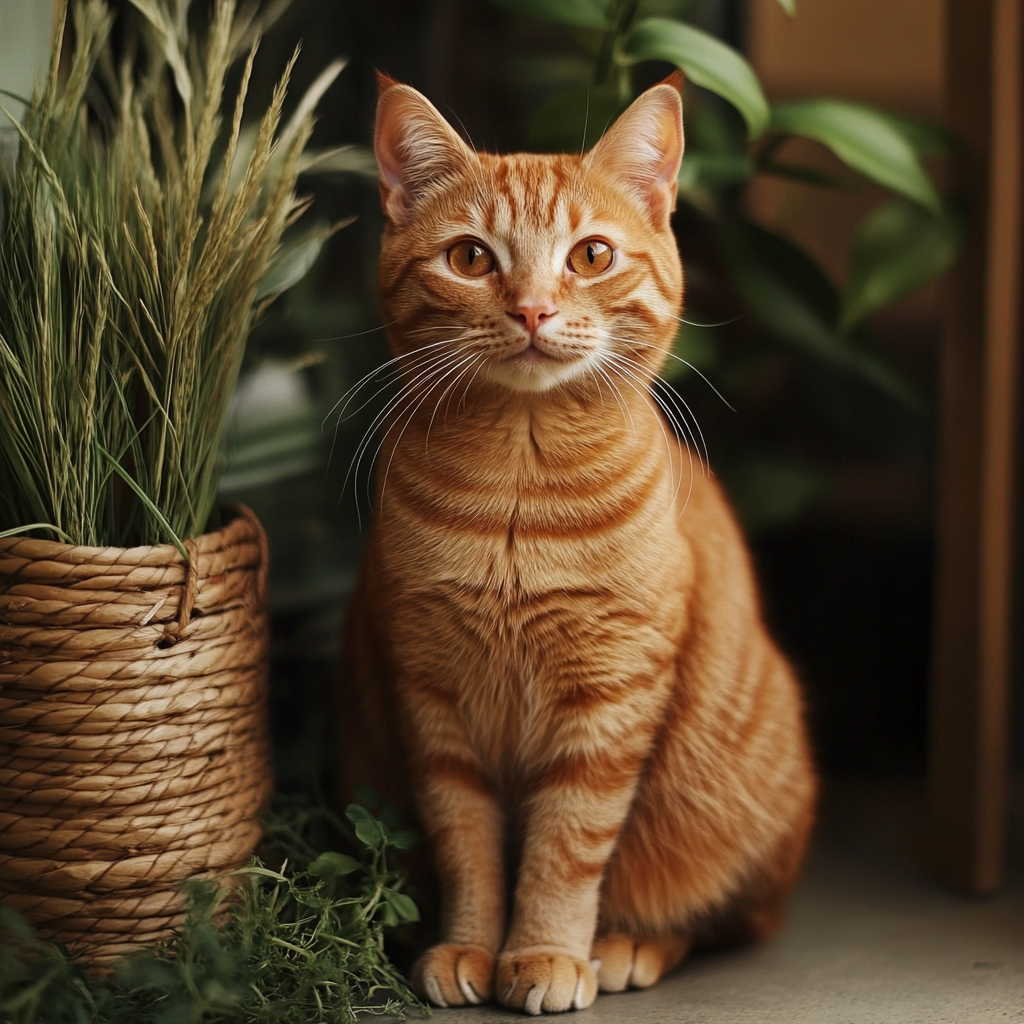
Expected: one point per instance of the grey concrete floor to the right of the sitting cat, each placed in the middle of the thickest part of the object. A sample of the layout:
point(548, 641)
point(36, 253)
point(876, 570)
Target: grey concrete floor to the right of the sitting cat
point(869, 942)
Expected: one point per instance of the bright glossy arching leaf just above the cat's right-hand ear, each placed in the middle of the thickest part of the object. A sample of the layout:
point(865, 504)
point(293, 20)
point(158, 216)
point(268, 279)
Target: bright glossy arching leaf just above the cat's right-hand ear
point(706, 61)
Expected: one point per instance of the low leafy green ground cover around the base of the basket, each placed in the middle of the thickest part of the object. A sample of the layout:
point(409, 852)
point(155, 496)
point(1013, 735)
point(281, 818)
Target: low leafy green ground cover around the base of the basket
point(301, 944)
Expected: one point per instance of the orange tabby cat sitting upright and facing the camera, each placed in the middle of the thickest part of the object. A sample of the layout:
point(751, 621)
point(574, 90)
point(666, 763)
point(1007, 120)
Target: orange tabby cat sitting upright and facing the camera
point(557, 613)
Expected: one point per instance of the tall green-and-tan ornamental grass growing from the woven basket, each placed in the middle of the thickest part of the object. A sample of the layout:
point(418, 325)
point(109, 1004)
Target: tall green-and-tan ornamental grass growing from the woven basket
point(139, 243)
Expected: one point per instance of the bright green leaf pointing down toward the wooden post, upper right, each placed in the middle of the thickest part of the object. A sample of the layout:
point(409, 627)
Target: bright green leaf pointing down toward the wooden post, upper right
point(865, 140)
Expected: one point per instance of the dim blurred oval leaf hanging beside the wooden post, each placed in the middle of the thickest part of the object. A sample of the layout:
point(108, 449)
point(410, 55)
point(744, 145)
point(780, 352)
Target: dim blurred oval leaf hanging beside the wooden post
point(900, 247)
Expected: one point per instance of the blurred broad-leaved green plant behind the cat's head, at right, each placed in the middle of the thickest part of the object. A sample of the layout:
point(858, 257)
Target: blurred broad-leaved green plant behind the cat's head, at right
point(740, 270)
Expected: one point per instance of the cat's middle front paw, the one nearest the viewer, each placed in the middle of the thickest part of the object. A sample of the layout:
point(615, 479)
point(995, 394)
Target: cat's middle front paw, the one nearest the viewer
point(544, 982)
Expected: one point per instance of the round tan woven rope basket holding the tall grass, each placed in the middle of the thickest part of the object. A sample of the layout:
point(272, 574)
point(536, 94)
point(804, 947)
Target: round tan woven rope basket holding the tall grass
point(134, 740)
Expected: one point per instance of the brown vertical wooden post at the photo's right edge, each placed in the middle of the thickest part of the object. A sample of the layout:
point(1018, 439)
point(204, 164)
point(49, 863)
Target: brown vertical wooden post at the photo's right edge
point(969, 729)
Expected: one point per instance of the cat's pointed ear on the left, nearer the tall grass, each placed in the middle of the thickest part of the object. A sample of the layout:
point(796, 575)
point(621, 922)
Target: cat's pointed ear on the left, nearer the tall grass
point(416, 148)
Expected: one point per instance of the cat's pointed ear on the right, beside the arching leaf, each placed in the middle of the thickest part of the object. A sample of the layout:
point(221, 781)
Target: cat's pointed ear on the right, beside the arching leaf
point(643, 151)
